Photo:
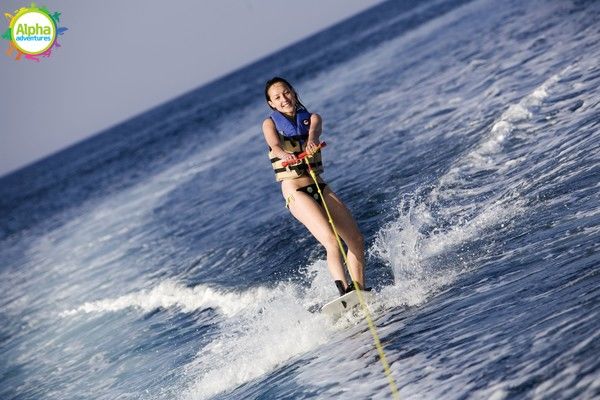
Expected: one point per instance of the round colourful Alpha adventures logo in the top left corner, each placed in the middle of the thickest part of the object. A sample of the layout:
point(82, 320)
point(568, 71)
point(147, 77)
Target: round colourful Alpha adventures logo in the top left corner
point(32, 32)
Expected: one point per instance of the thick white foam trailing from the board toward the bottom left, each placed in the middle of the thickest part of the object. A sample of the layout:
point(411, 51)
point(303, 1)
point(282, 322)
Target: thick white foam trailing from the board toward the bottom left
point(258, 340)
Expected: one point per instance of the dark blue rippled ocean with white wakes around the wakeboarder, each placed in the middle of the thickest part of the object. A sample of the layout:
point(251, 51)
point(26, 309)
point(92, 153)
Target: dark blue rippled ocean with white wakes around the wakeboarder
point(156, 260)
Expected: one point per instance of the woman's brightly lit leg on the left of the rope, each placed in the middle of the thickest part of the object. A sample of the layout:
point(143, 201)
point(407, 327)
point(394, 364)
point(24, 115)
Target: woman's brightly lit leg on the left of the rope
point(313, 217)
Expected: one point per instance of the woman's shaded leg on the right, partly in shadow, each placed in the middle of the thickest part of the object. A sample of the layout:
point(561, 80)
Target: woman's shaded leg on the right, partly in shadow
point(348, 230)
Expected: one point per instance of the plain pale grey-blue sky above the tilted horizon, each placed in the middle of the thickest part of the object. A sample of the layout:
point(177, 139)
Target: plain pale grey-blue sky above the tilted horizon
point(119, 58)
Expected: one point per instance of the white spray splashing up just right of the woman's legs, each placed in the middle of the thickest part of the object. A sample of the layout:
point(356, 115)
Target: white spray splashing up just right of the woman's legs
point(414, 243)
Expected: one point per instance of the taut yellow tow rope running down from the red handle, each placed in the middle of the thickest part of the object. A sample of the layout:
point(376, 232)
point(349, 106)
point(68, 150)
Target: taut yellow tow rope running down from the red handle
point(361, 298)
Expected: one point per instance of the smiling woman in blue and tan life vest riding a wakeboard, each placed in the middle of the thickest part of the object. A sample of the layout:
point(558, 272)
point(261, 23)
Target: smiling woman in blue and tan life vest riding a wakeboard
point(289, 131)
